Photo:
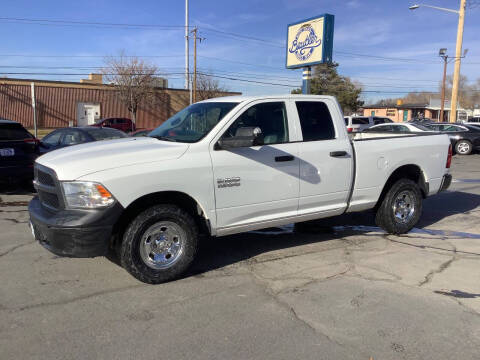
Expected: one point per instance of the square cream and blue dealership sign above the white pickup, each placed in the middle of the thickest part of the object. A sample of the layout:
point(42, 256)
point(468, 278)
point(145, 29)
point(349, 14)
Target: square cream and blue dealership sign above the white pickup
point(310, 41)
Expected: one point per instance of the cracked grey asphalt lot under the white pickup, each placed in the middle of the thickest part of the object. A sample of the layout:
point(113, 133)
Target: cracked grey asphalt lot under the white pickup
point(341, 291)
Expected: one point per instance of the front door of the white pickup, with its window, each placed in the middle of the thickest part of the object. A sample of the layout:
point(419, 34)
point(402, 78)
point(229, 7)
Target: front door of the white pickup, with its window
point(258, 183)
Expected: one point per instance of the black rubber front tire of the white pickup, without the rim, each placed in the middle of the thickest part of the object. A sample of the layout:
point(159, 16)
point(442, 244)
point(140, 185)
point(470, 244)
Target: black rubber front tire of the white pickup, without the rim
point(130, 253)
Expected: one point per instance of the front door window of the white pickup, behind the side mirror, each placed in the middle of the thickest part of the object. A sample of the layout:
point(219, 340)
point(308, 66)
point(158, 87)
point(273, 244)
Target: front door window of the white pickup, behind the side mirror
point(270, 117)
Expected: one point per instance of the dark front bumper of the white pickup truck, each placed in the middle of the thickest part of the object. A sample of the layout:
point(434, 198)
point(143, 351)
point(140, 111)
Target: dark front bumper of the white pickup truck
point(73, 233)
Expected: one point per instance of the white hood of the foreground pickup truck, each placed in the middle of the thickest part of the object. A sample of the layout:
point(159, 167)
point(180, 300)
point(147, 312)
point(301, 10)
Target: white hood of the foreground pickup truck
point(79, 160)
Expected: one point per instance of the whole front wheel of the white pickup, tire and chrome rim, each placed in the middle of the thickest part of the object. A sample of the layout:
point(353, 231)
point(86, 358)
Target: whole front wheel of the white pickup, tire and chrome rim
point(159, 244)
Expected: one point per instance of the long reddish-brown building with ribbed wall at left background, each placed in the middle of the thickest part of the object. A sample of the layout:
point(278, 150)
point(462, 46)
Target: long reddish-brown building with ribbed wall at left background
point(62, 104)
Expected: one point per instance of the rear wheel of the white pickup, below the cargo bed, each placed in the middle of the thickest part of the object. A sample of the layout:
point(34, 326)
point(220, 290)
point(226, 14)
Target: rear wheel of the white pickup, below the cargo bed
point(385, 216)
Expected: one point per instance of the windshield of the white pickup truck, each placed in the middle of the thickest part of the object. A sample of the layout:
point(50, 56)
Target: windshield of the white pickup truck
point(193, 123)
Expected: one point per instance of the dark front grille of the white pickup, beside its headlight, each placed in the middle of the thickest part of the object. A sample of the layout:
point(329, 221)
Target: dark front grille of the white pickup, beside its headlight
point(47, 188)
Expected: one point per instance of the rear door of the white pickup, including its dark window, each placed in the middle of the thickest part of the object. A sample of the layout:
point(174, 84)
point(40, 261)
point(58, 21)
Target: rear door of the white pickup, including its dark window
point(326, 159)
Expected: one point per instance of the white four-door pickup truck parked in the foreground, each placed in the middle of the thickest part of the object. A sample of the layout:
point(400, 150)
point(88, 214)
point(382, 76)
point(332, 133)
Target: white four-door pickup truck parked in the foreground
point(225, 166)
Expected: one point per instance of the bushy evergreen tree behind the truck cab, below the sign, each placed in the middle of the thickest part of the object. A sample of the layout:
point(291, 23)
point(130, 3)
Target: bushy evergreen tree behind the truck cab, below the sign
point(327, 81)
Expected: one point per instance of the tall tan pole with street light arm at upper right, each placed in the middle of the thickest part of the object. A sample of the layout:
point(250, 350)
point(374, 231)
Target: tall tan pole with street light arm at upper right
point(458, 51)
